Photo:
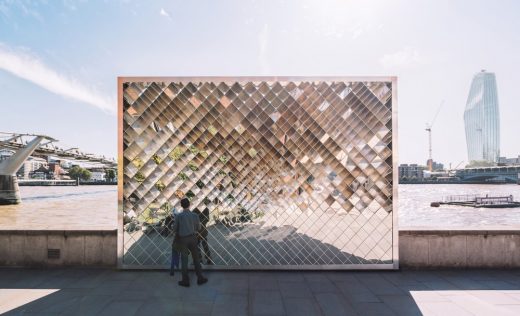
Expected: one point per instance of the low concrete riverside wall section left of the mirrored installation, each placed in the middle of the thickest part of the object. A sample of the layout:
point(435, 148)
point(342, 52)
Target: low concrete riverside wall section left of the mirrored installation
point(28, 248)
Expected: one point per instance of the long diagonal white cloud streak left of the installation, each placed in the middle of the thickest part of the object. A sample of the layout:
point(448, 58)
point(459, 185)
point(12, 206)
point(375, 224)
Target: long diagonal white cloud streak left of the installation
point(24, 65)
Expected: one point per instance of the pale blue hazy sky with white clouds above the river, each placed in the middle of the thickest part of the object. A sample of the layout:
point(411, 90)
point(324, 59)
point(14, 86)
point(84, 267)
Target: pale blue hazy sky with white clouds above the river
point(59, 60)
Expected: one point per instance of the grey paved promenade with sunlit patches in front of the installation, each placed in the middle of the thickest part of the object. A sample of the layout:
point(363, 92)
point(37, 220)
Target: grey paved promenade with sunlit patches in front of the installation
point(111, 292)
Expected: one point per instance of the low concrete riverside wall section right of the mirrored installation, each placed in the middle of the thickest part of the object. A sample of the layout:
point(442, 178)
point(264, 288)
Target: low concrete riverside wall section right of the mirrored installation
point(465, 248)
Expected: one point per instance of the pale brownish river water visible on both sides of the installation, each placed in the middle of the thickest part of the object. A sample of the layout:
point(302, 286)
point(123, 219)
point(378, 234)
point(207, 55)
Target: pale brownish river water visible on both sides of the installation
point(95, 207)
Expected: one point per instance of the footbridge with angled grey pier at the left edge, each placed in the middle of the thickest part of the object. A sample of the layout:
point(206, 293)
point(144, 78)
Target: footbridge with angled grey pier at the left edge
point(23, 146)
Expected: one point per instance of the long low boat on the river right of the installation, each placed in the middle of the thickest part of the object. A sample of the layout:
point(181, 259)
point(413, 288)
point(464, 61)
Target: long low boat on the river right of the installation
point(478, 201)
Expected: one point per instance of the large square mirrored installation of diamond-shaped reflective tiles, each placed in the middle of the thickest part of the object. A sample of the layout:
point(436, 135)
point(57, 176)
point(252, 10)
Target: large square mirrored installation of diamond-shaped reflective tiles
point(285, 172)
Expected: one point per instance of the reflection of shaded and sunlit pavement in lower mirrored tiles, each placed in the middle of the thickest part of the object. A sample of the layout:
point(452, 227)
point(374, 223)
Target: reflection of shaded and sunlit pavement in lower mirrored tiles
point(306, 239)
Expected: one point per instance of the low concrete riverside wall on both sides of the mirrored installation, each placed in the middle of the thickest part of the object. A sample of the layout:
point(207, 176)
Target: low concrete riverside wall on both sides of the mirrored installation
point(418, 248)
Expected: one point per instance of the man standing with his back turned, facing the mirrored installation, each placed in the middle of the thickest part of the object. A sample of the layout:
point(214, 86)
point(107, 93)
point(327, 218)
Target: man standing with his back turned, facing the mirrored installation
point(186, 227)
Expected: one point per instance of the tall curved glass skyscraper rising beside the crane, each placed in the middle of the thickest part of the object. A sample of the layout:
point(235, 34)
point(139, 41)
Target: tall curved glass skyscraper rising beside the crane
point(481, 118)
